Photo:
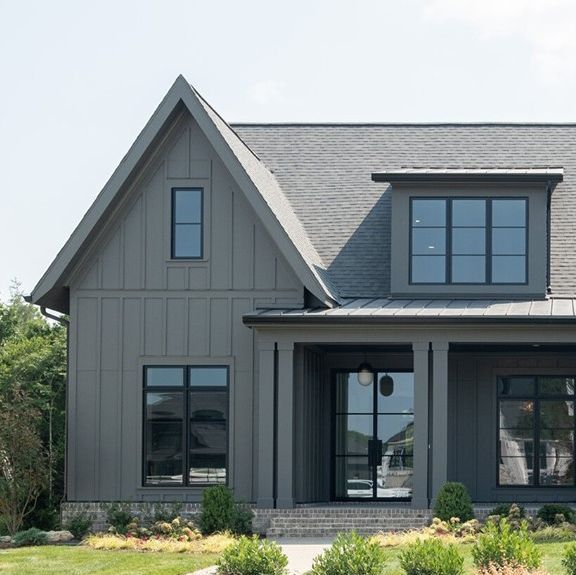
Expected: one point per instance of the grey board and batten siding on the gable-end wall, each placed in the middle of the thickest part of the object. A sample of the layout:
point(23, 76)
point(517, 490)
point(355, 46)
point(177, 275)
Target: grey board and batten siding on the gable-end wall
point(131, 305)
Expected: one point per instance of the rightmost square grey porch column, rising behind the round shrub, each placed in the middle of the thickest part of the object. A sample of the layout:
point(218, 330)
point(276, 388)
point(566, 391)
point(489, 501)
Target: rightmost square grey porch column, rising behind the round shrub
point(440, 415)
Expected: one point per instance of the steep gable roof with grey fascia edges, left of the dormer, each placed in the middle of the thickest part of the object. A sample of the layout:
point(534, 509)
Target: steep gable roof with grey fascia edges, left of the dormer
point(259, 185)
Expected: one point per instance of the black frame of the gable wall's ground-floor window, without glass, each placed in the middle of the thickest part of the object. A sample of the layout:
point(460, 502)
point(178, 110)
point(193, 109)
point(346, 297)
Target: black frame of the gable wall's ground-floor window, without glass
point(185, 389)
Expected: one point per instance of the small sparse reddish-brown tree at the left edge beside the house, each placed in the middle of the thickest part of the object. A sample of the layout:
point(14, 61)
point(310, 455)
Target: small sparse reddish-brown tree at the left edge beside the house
point(23, 461)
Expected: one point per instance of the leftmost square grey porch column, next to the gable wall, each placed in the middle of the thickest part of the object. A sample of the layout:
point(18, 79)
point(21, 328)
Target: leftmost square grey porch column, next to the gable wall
point(265, 498)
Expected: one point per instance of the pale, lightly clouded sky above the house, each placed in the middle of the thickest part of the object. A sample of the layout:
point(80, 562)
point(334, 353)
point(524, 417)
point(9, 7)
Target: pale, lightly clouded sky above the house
point(79, 80)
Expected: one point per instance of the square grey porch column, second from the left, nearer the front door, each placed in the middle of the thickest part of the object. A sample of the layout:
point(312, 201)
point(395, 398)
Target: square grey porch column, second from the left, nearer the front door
point(285, 463)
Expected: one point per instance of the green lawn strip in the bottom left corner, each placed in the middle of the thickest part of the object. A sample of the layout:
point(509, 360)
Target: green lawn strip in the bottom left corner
point(72, 560)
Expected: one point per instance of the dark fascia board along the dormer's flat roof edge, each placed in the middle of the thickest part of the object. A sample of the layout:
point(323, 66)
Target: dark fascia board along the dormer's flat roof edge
point(415, 177)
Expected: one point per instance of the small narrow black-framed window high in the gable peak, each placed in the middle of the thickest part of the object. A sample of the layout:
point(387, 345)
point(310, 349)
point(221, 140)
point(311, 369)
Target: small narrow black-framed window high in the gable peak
point(187, 223)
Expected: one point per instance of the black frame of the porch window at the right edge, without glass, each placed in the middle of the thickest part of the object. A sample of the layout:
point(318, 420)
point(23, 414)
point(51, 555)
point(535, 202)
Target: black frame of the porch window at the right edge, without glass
point(537, 399)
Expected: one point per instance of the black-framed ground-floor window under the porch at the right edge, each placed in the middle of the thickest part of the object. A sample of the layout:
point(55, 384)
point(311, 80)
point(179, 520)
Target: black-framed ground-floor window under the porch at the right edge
point(536, 428)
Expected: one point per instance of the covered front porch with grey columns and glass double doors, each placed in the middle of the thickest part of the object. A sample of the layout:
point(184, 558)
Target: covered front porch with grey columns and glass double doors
point(318, 440)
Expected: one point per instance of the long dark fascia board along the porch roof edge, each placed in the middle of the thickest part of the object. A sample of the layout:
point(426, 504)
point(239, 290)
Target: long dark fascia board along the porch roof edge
point(256, 320)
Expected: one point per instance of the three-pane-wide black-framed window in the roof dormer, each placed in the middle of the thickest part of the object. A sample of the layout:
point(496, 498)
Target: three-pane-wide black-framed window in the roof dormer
point(468, 240)
